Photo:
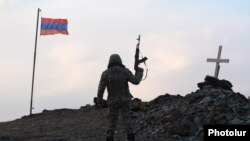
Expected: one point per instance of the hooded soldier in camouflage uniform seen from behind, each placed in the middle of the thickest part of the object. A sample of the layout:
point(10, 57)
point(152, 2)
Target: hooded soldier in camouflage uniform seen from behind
point(116, 79)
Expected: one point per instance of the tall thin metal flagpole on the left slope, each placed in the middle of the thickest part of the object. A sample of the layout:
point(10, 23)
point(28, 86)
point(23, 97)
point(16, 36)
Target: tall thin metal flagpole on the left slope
point(34, 63)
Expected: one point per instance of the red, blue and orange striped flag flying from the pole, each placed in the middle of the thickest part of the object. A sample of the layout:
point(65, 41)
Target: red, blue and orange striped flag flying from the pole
point(53, 26)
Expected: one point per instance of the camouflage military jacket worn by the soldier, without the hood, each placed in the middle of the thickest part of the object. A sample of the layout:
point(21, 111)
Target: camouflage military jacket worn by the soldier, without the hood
point(116, 80)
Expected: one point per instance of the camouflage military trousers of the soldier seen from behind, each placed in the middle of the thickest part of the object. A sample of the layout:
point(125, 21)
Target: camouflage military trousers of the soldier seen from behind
point(113, 114)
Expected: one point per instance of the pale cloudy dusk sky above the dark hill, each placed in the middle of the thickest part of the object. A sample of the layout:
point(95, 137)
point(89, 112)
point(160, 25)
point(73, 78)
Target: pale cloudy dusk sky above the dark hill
point(176, 36)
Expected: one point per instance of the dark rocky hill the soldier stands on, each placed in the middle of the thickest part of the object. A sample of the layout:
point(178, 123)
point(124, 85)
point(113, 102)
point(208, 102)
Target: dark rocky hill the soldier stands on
point(166, 118)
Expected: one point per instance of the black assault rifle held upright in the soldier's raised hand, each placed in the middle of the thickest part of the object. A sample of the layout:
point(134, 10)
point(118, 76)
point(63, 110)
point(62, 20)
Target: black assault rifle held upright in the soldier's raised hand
point(137, 60)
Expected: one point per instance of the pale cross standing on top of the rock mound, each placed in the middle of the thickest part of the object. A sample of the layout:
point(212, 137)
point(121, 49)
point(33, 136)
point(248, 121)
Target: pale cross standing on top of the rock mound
point(218, 60)
